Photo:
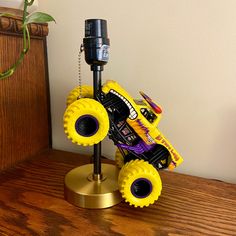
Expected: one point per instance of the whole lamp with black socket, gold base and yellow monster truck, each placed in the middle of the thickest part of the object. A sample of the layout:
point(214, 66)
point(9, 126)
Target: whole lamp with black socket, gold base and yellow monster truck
point(93, 113)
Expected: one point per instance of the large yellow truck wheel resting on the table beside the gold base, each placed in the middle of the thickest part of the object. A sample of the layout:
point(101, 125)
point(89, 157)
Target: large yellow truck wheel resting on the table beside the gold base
point(139, 183)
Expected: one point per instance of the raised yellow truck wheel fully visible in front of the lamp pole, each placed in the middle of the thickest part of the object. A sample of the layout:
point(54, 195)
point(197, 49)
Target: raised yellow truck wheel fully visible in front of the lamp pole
point(86, 122)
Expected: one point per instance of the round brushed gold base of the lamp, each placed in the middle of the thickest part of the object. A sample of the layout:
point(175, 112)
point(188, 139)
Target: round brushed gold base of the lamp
point(85, 190)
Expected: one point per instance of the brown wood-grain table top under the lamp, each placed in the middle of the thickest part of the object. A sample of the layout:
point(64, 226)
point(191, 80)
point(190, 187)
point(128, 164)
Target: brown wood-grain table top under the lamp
point(32, 203)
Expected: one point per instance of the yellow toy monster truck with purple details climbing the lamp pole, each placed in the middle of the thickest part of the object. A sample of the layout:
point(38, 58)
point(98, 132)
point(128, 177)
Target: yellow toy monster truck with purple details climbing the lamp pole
point(142, 150)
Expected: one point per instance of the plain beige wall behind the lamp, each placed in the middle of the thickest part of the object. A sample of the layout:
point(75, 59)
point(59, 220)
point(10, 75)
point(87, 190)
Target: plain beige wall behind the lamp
point(181, 52)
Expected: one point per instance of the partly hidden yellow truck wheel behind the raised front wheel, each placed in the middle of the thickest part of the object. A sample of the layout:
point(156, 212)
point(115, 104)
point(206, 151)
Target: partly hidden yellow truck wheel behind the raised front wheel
point(86, 92)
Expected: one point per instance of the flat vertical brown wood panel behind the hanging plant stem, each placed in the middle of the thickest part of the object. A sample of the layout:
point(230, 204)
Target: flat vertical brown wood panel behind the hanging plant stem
point(24, 101)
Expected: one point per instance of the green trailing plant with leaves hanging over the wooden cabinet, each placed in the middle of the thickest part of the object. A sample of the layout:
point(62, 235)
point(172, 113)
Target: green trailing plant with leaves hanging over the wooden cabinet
point(36, 17)
